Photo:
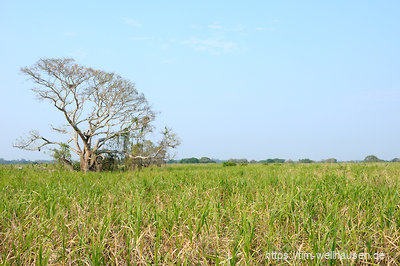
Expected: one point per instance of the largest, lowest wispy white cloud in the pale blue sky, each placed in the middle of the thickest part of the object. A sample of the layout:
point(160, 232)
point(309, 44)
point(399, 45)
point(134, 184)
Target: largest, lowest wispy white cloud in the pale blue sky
point(214, 45)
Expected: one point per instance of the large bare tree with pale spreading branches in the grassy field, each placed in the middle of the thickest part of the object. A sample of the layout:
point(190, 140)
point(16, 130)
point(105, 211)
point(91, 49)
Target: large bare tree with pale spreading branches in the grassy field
point(98, 107)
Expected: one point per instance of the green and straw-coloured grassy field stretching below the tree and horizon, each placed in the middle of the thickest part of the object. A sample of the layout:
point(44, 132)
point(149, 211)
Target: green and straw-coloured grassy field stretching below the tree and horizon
point(205, 214)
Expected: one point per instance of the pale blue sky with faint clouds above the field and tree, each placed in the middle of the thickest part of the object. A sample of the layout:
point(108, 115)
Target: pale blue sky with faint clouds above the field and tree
point(234, 79)
